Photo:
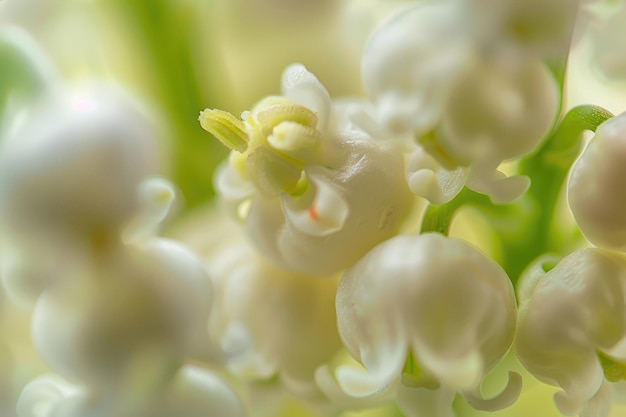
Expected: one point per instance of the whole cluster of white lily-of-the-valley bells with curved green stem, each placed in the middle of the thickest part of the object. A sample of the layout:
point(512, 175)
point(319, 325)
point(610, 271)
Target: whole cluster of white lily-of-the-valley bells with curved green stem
point(310, 281)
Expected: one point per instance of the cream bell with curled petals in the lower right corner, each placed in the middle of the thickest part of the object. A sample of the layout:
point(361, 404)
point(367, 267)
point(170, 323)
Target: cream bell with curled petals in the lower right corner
point(572, 330)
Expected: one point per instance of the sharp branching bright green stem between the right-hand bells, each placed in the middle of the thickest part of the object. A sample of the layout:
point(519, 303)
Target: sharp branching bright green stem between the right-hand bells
point(526, 227)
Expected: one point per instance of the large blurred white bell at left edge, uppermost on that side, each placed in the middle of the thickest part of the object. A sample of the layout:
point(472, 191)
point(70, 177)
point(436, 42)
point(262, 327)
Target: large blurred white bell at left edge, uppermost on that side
point(92, 142)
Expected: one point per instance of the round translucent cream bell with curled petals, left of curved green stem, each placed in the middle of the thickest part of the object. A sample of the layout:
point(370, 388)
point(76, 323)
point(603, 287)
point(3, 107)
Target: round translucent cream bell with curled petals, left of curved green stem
point(498, 111)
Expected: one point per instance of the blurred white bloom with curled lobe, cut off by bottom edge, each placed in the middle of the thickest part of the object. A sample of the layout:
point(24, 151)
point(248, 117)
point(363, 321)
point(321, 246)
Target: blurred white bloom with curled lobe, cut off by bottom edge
point(193, 392)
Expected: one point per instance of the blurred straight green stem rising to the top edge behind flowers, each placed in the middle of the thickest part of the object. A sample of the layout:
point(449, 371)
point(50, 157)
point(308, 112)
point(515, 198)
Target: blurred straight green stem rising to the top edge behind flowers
point(173, 48)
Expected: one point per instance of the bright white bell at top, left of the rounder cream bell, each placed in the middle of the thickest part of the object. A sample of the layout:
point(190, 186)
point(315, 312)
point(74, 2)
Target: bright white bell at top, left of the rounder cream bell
point(412, 63)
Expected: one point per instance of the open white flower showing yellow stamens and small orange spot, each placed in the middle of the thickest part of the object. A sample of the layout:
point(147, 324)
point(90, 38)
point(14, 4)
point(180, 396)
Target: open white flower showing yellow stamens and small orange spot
point(316, 191)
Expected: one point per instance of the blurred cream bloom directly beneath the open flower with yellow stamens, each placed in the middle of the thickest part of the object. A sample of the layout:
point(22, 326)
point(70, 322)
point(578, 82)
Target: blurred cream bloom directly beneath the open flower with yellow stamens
point(271, 323)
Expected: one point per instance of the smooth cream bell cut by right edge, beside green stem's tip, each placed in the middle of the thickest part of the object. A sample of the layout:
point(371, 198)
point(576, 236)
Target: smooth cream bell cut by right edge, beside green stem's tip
point(595, 187)
